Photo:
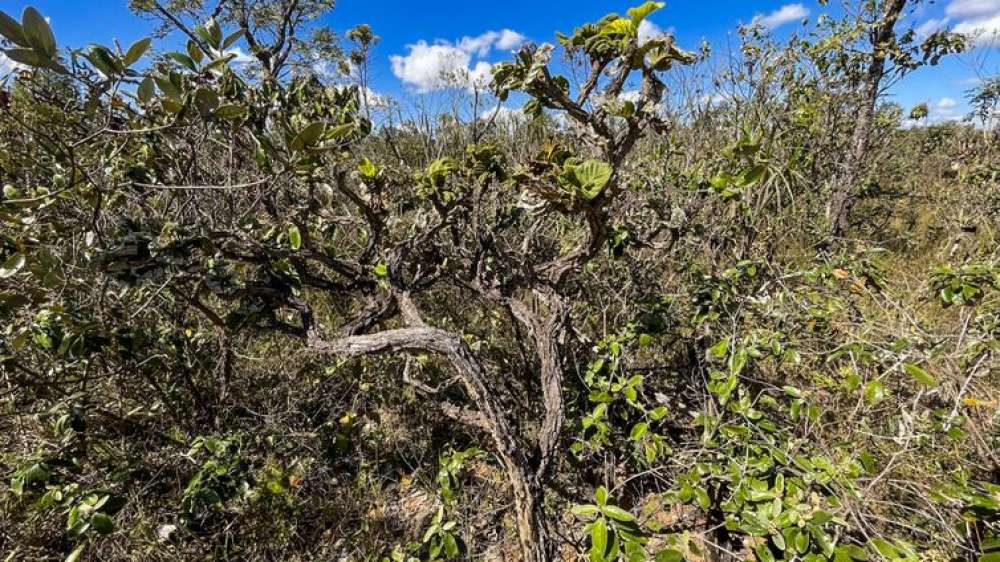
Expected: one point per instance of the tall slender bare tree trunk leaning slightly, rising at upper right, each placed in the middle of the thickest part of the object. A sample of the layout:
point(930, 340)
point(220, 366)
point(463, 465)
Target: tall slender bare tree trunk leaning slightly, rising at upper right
point(845, 193)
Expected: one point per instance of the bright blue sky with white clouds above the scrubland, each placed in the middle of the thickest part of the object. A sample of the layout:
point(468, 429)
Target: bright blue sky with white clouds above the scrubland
point(417, 32)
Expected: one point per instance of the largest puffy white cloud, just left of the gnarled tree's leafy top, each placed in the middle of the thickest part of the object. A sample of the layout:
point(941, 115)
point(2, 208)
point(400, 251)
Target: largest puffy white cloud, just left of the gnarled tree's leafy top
point(442, 65)
